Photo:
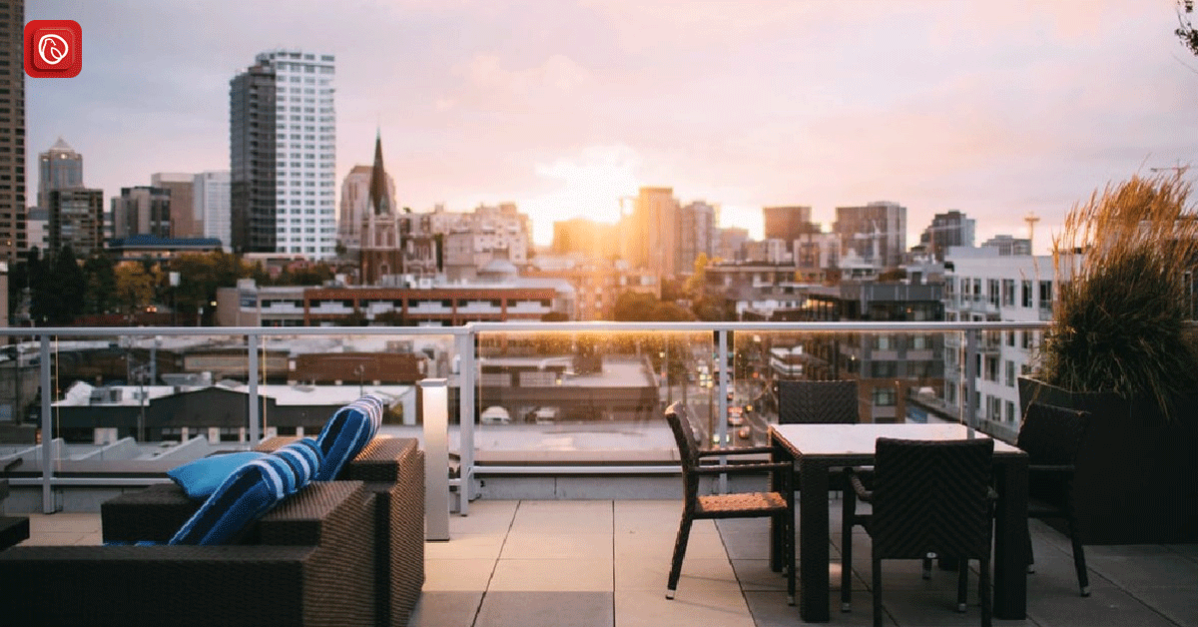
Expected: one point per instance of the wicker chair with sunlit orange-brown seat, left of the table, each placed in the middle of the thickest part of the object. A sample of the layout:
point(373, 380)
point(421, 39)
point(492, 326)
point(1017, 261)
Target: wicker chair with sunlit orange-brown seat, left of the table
point(777, 505)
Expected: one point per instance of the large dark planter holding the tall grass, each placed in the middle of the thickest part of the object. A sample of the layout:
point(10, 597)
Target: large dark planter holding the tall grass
point(1138, 475)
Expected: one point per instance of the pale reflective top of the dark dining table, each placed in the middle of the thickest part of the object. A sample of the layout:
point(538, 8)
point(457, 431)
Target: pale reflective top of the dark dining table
point(857, 441)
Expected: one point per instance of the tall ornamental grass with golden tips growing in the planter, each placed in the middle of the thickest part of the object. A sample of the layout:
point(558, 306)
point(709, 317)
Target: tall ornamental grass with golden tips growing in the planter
point(1126, 264)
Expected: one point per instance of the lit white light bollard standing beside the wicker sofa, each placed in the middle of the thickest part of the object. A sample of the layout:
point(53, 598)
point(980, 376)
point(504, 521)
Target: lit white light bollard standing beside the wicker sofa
point(435, 415)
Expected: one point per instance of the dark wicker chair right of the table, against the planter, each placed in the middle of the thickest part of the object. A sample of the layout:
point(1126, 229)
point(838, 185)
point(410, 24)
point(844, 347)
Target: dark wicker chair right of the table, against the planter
point(1051, 437)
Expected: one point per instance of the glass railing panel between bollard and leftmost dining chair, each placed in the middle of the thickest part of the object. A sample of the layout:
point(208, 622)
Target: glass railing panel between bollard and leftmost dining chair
point(588, 396)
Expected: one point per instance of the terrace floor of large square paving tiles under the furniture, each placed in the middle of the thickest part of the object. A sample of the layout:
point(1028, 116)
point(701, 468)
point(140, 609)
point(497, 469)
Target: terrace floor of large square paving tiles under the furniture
point(604, 563)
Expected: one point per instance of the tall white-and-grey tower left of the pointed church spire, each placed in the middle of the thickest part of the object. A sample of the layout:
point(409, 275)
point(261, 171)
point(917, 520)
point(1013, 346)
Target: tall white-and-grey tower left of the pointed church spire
point(283, 159)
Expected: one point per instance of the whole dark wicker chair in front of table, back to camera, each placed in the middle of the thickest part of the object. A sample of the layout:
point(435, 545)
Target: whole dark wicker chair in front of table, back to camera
point(928, 497)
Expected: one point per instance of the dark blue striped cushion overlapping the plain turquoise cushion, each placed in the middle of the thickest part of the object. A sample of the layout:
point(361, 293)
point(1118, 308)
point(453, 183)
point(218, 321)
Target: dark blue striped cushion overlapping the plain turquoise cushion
point(252, 491)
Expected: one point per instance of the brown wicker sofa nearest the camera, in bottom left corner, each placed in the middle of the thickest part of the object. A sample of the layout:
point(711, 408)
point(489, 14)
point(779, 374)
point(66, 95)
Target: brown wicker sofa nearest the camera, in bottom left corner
point(307, 563)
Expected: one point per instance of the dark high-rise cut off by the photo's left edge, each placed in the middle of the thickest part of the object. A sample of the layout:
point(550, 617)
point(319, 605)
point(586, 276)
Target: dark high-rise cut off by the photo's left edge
point(13, 134)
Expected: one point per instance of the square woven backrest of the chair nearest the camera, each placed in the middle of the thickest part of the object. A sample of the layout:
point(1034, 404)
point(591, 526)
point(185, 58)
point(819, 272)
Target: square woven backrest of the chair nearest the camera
point(931, 497)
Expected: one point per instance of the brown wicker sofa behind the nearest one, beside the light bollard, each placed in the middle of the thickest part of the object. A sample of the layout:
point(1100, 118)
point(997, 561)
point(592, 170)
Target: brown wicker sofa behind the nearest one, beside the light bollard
point(392, 471)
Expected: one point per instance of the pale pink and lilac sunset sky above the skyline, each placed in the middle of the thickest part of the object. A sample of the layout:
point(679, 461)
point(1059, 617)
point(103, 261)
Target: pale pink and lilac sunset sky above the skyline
point(995, 108)
